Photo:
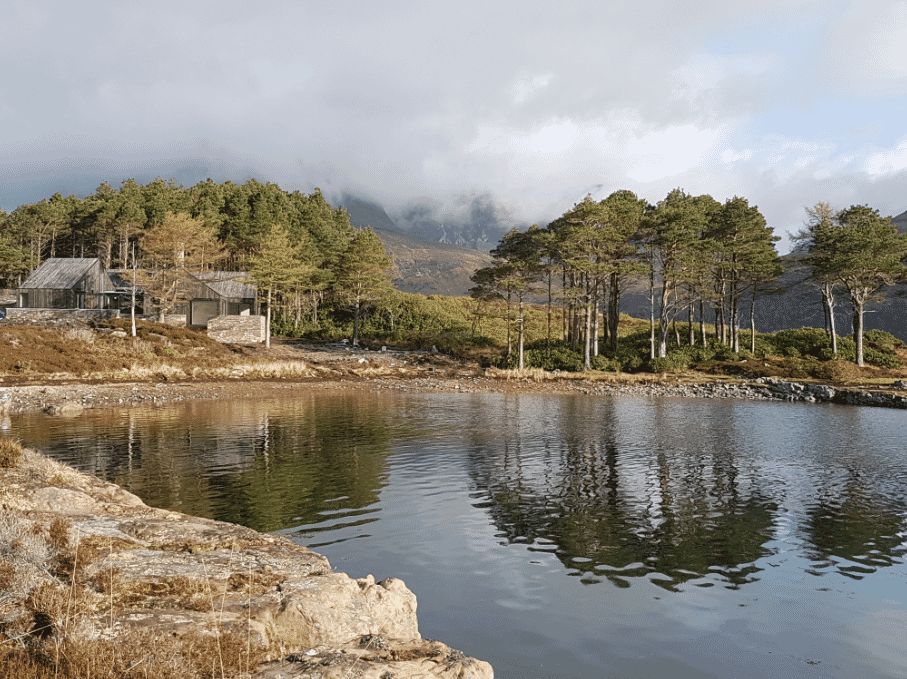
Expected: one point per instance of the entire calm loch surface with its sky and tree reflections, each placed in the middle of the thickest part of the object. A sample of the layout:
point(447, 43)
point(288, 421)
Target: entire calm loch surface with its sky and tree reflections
point(561, 536)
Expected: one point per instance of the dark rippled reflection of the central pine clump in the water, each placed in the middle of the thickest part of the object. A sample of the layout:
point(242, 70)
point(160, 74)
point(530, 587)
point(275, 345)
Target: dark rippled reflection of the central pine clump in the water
point(618, 495)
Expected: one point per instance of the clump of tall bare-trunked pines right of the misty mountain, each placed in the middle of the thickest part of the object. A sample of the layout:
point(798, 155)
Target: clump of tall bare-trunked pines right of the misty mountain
point(692, 250)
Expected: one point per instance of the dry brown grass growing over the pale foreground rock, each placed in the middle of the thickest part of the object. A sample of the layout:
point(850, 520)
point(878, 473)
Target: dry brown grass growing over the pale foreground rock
point(41, 577)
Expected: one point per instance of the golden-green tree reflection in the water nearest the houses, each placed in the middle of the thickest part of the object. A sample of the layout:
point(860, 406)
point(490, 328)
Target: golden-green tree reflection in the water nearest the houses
point(264, 464)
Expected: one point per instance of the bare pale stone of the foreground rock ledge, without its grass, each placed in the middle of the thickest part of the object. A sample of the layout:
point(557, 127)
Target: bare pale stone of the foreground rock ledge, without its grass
point(178, 575)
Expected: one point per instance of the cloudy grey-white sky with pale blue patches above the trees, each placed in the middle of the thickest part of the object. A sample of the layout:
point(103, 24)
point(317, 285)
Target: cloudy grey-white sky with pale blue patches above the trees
point(533, 104)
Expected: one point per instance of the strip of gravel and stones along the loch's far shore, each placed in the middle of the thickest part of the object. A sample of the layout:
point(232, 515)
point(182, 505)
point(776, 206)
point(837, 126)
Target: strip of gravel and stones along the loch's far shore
point(340, 367)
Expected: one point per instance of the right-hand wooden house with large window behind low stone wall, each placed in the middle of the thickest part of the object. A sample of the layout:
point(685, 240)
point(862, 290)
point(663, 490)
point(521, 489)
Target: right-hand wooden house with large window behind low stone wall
point(219, 293)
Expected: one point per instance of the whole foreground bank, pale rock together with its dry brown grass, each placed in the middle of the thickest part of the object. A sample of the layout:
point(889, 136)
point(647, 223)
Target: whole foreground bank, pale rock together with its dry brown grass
point(93, 582)
